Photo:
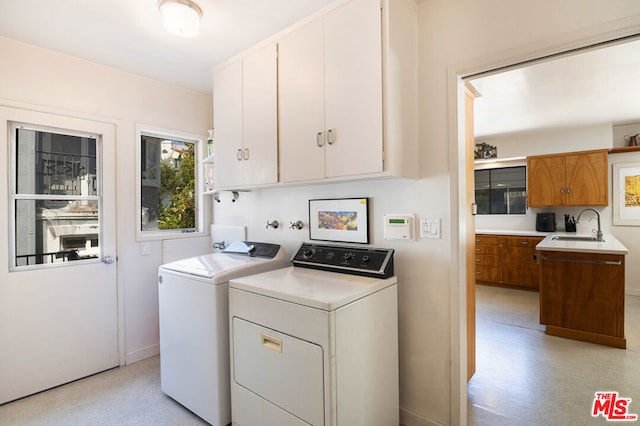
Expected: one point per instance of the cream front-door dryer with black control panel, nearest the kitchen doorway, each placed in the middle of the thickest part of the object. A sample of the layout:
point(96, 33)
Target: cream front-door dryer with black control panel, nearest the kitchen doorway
point(316, 343)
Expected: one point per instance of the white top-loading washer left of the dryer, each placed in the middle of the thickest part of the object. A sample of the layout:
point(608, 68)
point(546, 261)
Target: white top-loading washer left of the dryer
point(194, 324)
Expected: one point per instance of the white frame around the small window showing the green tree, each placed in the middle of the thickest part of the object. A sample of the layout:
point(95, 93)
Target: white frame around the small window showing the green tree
point(198, 140)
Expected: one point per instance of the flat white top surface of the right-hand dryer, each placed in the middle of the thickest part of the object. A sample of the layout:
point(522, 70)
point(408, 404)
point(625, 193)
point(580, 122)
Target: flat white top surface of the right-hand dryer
point(313, 288)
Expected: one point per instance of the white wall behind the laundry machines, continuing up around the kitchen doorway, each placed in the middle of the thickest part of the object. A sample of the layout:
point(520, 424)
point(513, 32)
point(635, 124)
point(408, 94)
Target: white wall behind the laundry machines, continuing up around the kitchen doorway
point(453, 34)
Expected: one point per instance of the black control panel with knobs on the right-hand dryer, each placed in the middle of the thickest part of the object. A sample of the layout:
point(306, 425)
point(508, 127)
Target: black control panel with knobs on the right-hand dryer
point(366, 261)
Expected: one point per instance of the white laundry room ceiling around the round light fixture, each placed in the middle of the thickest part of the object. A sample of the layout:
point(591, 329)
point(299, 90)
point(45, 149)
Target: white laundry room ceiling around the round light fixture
point(128, 35)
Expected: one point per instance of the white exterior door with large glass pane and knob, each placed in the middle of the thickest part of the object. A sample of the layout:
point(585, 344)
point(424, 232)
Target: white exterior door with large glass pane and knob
point(58, 290)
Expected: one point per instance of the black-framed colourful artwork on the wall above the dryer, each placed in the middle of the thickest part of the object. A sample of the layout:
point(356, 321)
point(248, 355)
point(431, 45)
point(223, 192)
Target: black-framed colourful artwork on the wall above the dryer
point(342, 220)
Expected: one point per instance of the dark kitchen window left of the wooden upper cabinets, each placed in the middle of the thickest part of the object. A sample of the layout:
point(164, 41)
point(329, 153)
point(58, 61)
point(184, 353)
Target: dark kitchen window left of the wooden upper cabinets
point(501, 191)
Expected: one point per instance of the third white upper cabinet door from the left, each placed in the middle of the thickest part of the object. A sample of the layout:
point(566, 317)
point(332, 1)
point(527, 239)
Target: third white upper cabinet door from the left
point(301, 103)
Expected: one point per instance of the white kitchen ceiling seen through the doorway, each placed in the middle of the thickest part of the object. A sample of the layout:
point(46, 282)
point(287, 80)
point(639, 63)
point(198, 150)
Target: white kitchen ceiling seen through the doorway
point(595, 87)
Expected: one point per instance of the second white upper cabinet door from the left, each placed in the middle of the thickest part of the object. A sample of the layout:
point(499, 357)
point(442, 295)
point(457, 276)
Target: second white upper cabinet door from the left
point(260, 116)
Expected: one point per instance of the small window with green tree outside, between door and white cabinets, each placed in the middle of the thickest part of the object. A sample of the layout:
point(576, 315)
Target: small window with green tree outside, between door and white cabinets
point(168, 197)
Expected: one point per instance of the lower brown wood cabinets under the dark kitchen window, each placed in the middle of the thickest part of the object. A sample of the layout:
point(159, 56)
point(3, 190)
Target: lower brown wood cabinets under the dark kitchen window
point(507, 259)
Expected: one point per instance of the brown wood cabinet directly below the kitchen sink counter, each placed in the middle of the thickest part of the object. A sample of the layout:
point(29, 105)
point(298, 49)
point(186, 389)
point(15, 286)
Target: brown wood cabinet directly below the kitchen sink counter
point(582, 296)
